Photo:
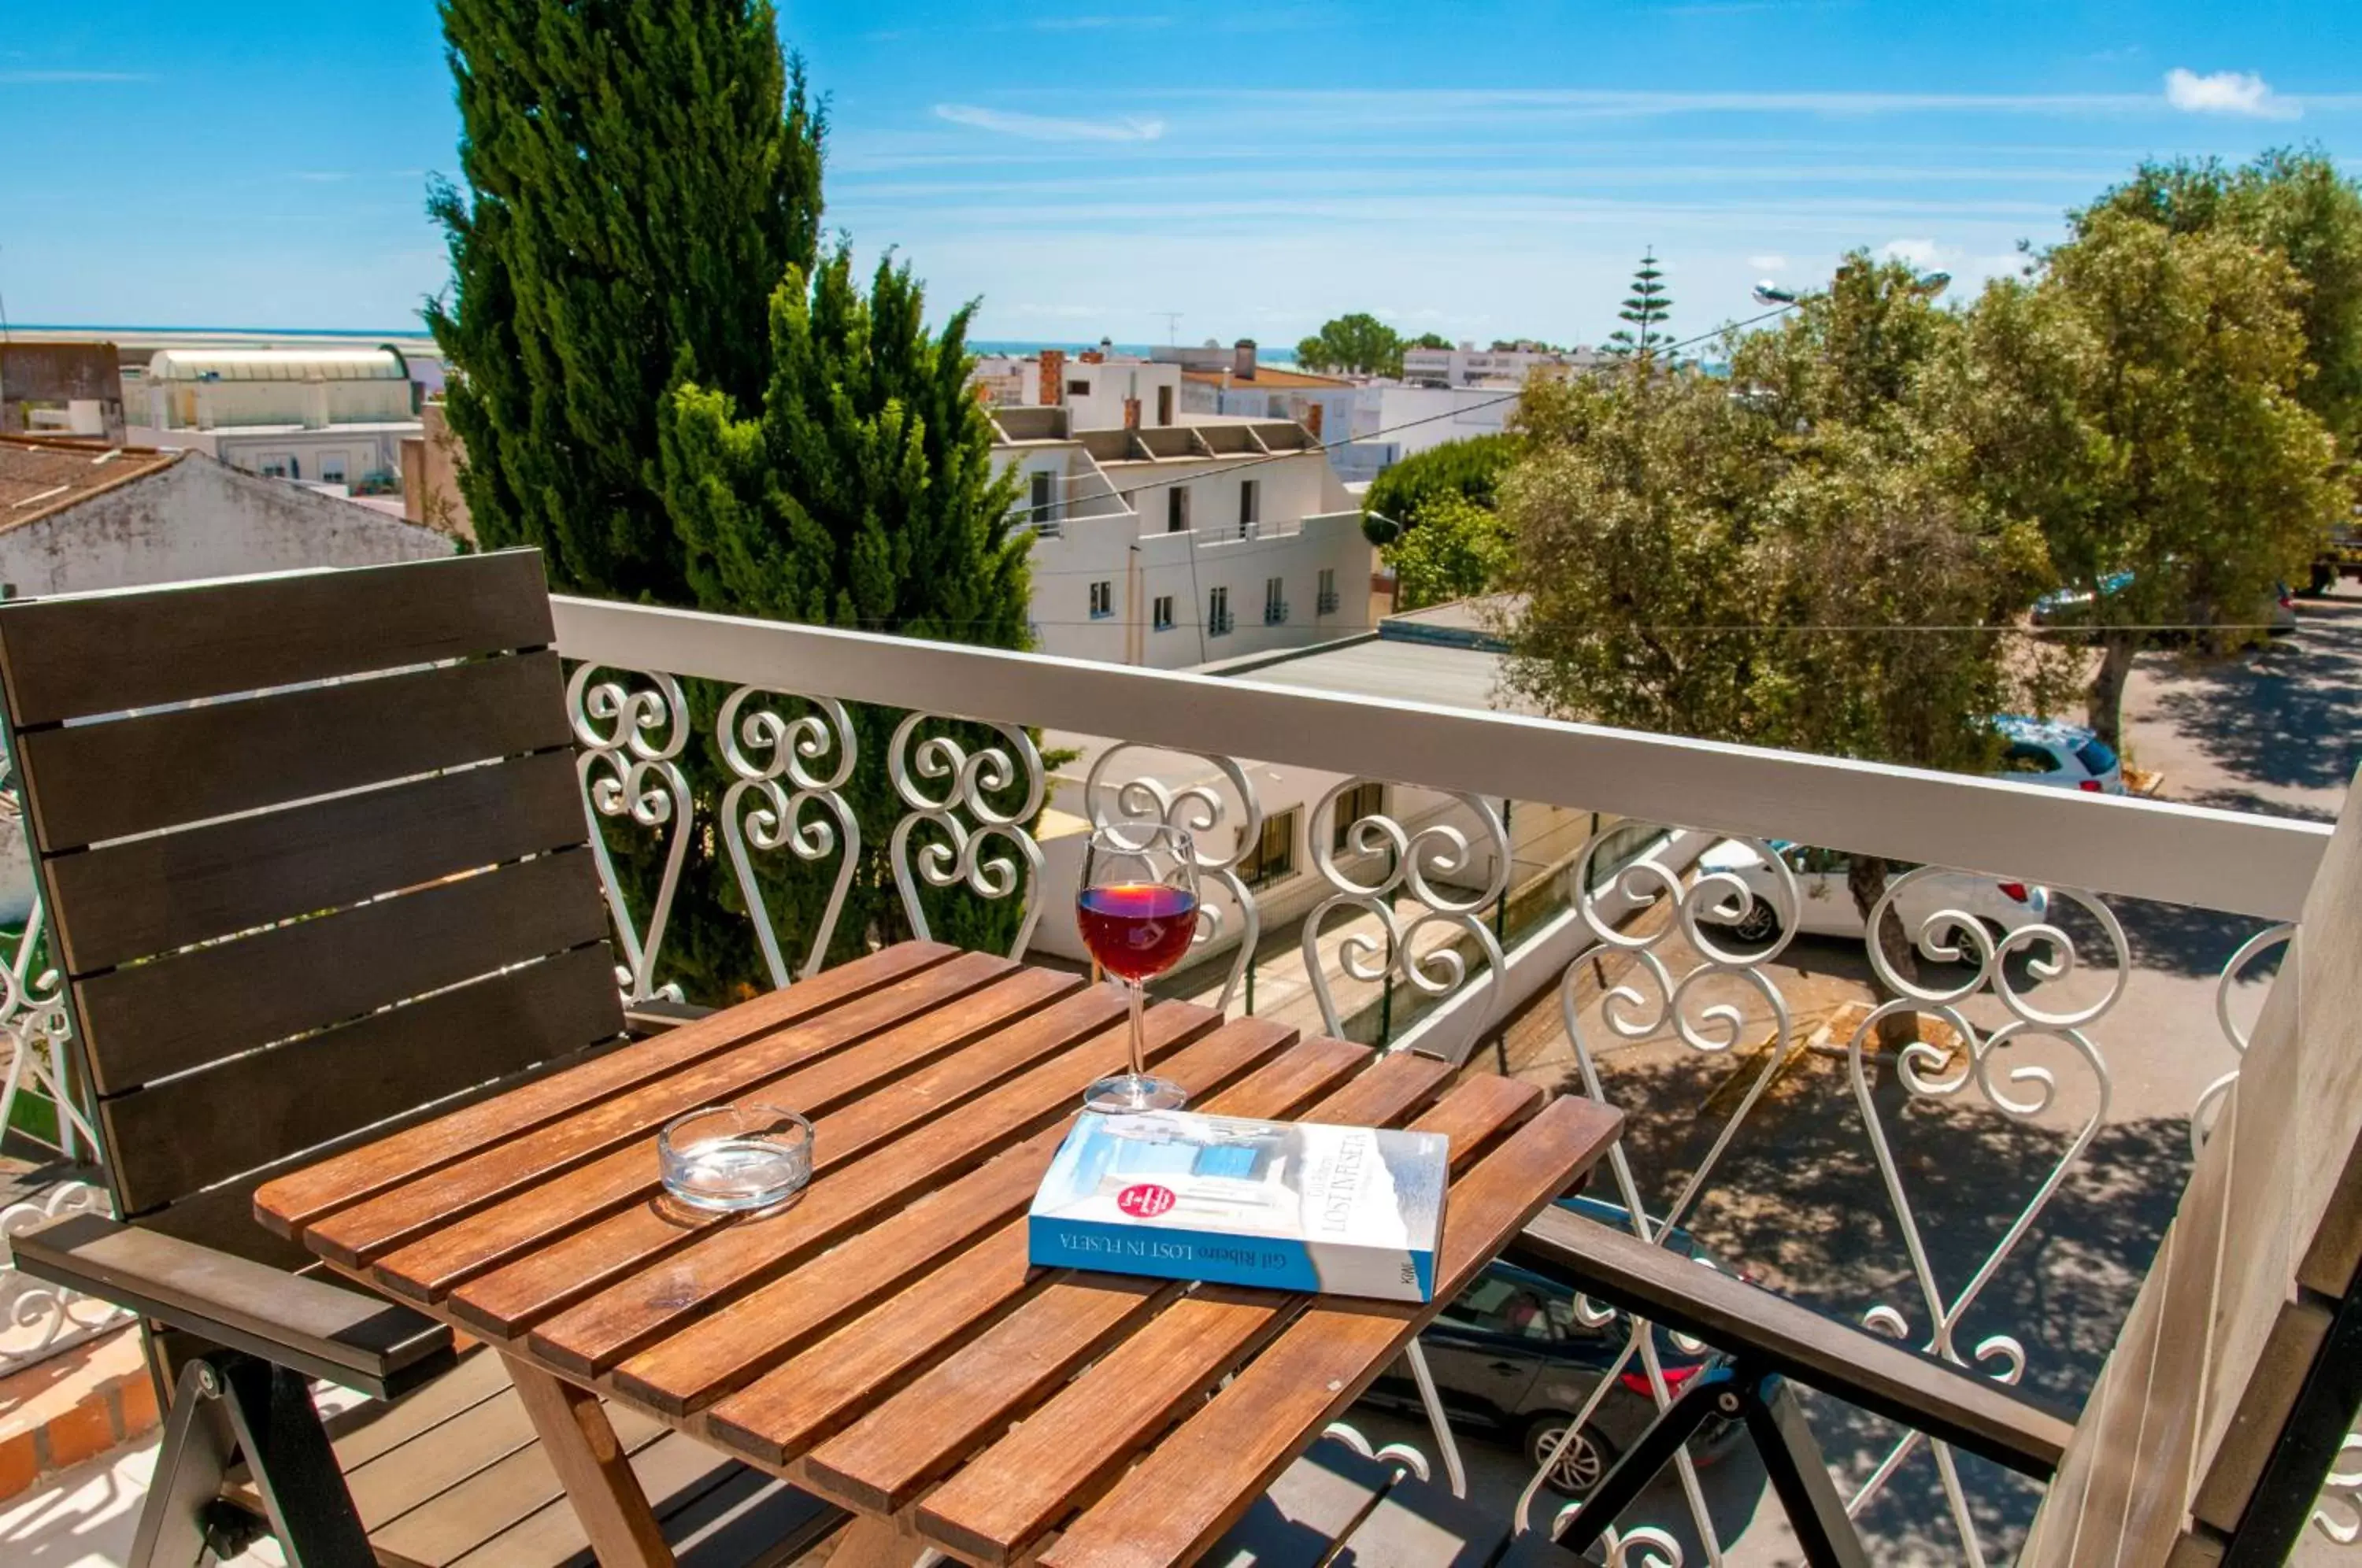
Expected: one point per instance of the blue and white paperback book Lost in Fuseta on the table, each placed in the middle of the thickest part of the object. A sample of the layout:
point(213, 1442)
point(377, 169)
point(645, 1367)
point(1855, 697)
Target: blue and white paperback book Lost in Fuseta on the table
point(1293, 1206)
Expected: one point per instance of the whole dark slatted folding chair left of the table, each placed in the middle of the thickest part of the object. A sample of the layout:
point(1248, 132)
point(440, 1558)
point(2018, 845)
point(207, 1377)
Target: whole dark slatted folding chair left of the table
point(318, 865)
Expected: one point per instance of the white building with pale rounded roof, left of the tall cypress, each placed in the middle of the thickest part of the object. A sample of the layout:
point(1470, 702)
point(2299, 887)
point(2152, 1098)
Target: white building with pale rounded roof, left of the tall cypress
point(325, 417)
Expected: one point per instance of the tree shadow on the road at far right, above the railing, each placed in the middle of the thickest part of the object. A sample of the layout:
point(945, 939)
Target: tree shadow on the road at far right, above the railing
point(2288, 717)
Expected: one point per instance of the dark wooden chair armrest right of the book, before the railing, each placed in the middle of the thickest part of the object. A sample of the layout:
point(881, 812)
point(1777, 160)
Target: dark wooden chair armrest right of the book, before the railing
point(1775, 1333)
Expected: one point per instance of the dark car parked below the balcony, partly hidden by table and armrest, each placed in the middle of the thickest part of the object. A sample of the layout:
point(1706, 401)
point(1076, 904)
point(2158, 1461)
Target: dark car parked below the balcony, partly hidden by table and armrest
point(1513, 1359)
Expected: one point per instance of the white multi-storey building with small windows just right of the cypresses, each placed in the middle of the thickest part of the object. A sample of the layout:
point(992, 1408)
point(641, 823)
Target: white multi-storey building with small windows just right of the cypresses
point(1187, 544)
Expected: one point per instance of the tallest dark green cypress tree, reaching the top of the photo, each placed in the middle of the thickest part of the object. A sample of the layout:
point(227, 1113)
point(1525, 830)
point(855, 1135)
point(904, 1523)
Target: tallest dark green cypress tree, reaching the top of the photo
point(637, 178)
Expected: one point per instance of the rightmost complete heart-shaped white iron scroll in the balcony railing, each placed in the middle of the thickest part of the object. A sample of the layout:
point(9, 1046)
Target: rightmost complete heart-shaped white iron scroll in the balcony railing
point(2021, 1095)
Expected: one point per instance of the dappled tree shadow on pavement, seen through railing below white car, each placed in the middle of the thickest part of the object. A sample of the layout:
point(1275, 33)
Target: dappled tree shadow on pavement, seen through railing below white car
point(1801, 1201)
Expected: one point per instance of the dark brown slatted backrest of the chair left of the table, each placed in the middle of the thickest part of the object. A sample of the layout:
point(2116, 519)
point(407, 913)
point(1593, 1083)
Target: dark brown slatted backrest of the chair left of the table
point(313, 858)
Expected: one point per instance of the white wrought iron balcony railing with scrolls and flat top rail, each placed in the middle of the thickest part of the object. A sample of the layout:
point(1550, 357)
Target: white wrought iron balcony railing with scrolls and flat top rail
point(2007, 1028)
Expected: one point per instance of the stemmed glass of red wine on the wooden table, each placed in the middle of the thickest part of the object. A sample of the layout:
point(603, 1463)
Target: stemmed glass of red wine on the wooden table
point(1137, 910)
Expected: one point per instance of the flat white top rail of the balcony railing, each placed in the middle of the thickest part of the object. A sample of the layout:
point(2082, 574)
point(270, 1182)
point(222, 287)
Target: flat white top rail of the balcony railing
point(2125, 847)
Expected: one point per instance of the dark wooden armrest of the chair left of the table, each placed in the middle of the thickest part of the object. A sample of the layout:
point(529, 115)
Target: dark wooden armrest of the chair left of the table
point(311, 1326)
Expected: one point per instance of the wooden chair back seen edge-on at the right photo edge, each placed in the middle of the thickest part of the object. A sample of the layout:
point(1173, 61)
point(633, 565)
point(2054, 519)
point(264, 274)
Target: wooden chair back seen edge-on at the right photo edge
point(2240, 1364)
